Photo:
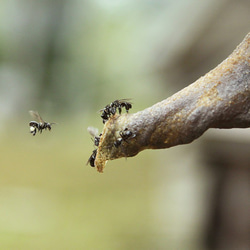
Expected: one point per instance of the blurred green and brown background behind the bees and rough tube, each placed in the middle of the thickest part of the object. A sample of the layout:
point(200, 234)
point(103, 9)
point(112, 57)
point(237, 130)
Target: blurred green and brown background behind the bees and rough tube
point(68, 59)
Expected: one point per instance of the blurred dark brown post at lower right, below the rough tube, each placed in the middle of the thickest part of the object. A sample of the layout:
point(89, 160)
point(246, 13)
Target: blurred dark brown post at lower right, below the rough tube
point(229, 218)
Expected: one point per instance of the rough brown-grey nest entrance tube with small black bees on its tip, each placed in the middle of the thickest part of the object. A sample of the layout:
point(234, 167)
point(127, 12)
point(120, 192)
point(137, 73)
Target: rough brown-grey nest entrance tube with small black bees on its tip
point(220, 99)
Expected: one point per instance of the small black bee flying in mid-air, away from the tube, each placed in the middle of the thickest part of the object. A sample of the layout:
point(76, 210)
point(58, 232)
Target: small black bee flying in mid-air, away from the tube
point(38, 125)
